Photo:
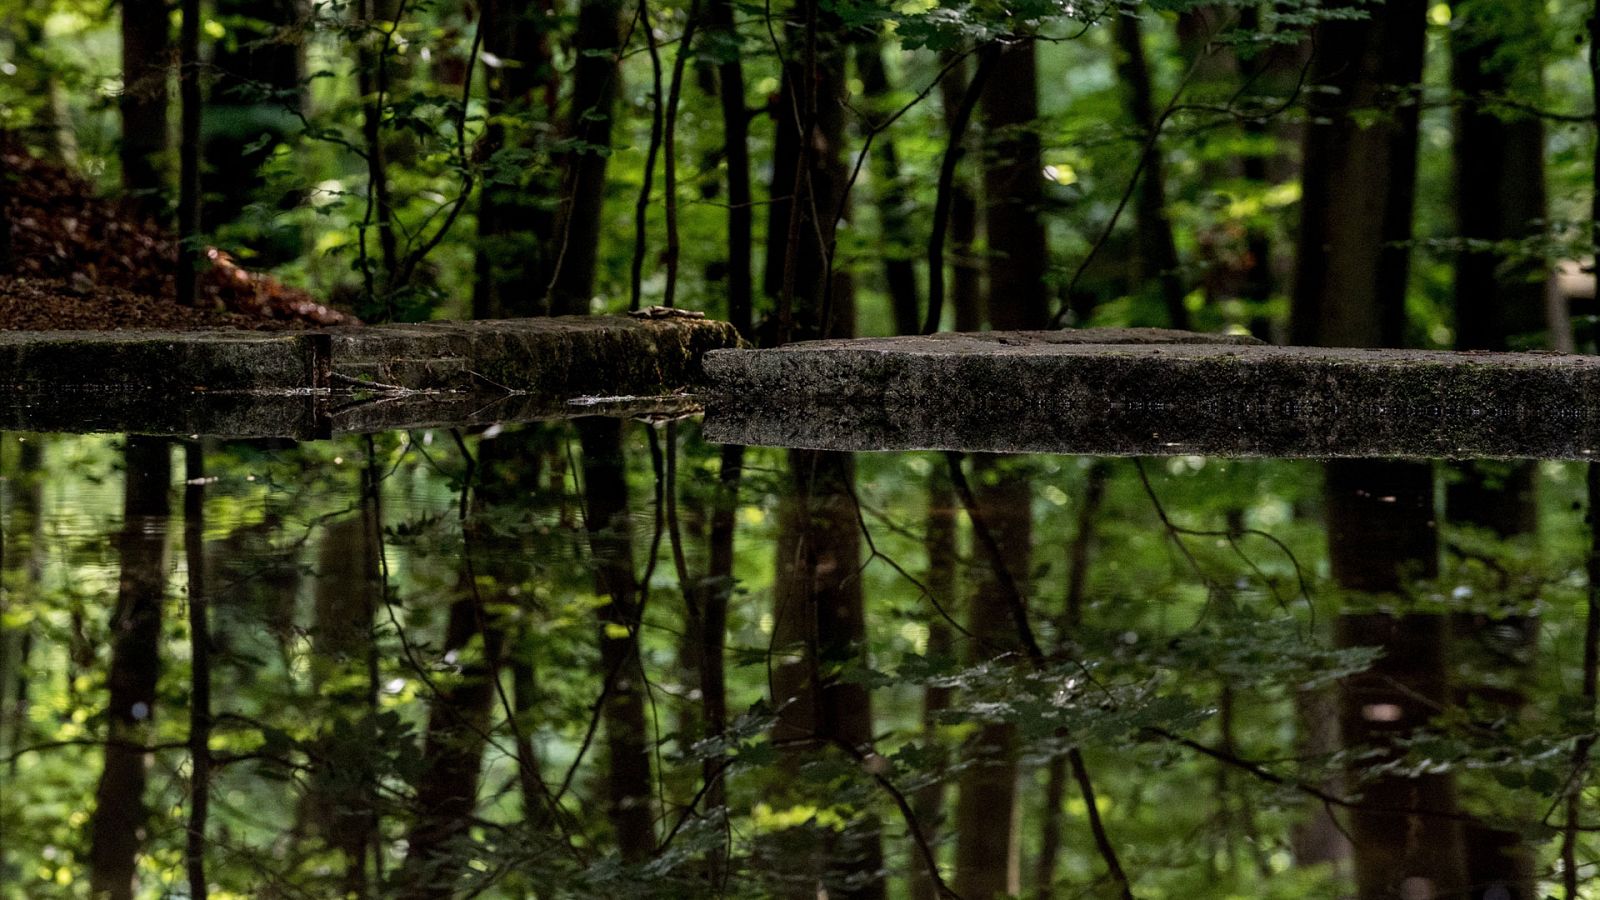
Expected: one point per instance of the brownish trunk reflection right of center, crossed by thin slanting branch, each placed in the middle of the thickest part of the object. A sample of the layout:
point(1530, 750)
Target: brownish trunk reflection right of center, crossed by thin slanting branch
point(986, 850)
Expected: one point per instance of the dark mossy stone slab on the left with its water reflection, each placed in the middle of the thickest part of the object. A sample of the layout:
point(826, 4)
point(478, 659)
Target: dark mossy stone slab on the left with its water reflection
point(370, 379)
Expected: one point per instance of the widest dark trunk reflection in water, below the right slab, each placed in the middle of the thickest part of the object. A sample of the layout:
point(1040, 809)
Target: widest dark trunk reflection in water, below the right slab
point(1382, 534)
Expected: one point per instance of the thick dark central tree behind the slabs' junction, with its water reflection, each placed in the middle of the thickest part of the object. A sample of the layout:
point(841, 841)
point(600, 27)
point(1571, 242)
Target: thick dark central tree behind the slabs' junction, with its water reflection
point(818, 608)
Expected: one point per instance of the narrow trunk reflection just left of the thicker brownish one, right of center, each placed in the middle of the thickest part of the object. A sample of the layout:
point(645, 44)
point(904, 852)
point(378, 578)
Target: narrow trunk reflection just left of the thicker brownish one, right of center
point(942, 547)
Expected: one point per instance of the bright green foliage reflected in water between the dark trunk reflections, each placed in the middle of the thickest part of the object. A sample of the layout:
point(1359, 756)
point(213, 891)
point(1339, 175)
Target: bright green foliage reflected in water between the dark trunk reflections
point(314, 744)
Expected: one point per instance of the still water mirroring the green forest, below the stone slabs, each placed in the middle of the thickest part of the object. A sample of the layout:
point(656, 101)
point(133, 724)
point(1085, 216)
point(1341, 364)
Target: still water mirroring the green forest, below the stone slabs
point(610, 659)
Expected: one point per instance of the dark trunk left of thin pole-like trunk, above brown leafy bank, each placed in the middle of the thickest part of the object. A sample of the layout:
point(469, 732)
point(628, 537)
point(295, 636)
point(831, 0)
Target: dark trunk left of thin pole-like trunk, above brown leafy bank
point(146, 38)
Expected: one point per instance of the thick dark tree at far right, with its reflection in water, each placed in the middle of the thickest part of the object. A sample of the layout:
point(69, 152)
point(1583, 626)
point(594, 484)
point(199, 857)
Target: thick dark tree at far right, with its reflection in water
point(1500, 305)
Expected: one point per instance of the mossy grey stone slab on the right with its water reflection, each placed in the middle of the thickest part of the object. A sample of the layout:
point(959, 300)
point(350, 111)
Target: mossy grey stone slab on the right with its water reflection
point(1050, 395)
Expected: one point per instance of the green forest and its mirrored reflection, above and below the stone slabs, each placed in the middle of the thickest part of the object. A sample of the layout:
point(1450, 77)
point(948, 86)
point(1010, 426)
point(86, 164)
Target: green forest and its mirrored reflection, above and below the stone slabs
point(606, 657)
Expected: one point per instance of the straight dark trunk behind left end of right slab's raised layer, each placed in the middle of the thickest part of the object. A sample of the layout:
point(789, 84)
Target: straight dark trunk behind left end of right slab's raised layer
point(1014, 193)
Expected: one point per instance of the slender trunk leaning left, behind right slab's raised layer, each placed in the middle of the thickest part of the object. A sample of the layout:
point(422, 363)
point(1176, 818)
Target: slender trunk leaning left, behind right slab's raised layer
point(1158, 249)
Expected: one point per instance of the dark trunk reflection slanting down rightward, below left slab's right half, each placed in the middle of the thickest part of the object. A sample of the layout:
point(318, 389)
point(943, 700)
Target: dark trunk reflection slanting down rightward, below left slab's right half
point(628, 739)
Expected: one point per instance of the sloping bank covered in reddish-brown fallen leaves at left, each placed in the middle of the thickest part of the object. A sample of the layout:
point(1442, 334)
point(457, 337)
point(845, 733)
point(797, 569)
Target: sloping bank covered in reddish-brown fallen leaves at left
point(82, 262)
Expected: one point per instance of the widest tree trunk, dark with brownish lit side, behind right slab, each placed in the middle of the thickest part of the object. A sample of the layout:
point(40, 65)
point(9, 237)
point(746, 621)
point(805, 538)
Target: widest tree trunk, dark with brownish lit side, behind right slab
point(1354, 246)
